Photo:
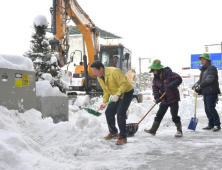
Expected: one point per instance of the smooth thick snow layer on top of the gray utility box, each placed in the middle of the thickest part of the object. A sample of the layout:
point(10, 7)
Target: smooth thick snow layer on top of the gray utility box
point(16, 62)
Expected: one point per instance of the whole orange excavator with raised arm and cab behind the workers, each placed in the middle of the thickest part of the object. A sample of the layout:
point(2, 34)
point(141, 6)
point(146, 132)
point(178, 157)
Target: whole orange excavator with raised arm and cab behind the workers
point(83, 80)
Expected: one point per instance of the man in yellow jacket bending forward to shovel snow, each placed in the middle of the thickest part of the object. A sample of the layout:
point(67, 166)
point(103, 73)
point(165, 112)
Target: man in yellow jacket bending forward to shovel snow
point(118, 90)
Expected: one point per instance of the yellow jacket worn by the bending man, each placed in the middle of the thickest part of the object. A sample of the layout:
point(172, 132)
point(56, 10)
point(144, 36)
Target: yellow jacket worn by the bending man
point(115, 83)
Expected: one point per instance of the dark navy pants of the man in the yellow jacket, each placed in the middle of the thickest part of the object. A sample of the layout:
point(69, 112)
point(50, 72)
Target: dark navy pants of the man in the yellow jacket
point(120, 107)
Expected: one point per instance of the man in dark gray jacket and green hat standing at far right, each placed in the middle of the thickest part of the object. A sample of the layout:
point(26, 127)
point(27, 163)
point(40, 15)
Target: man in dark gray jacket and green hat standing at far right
point(208, 86)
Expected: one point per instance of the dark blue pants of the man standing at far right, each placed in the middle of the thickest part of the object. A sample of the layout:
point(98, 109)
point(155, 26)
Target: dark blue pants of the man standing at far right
point(210, 104)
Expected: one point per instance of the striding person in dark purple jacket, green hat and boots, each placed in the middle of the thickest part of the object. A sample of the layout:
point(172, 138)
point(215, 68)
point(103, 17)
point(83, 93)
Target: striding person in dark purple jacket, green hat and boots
point(165, 81)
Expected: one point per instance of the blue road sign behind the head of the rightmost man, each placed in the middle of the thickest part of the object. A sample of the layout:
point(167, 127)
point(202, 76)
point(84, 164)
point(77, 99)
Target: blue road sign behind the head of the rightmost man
point(214, 57)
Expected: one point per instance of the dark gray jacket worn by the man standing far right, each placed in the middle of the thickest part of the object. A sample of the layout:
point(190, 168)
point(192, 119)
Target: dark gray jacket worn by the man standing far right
point(209, 79)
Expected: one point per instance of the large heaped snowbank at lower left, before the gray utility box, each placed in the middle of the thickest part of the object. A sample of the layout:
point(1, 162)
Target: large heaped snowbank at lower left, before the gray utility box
point(26, 135)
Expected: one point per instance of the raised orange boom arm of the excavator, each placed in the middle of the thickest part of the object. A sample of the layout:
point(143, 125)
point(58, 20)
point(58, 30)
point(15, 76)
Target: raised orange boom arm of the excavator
point(62, 12)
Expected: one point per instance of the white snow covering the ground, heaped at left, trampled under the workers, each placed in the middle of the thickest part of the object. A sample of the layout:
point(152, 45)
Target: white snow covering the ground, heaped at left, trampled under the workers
point(29, 142)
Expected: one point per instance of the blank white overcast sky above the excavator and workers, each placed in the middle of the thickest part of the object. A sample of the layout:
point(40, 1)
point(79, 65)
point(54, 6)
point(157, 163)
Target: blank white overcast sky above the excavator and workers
point(167, 30)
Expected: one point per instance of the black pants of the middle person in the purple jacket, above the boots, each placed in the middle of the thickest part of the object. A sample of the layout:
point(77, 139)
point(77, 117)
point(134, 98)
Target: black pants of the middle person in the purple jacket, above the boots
point(174, 107)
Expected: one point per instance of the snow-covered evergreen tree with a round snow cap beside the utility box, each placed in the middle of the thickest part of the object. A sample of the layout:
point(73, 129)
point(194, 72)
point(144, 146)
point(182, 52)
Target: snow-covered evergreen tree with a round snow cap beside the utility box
point(44, 60)
